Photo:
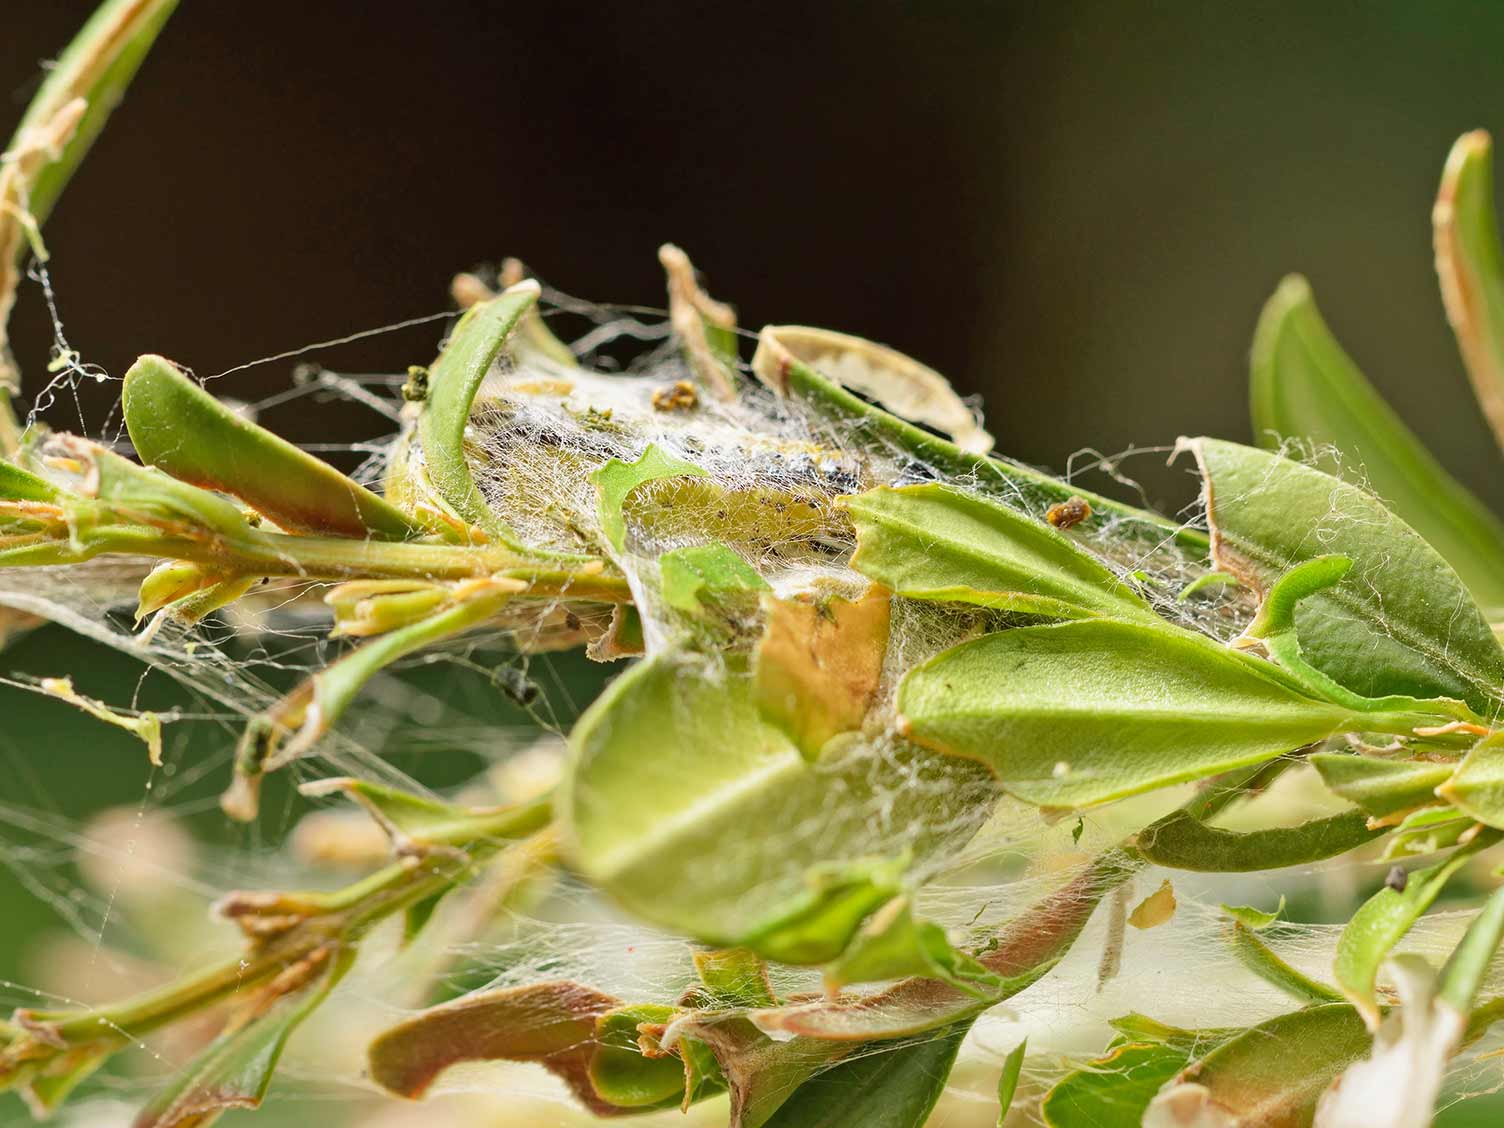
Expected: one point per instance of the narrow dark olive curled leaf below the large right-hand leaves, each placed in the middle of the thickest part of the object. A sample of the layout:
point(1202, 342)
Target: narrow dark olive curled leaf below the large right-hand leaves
point(1184, 843)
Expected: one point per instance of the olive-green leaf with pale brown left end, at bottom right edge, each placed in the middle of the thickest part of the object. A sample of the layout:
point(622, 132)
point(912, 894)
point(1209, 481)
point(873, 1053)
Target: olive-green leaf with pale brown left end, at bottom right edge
point(1270, 1076)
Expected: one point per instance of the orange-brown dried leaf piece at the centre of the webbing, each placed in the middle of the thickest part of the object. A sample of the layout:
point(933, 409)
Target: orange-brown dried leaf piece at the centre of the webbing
point(819, 666)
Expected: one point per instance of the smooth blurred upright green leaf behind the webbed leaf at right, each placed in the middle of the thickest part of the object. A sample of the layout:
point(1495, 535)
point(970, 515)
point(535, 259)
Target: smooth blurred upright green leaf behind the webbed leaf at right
point(1306, 387)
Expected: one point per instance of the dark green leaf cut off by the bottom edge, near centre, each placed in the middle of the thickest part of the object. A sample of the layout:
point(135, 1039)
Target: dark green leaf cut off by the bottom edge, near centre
point(876, 1088)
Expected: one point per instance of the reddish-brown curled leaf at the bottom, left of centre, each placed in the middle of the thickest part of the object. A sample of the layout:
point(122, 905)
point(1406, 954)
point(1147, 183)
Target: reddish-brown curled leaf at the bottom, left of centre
point(553, 1025)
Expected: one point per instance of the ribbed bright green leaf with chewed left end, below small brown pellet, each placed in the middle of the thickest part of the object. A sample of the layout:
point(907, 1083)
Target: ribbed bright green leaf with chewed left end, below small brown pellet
point(939, 544)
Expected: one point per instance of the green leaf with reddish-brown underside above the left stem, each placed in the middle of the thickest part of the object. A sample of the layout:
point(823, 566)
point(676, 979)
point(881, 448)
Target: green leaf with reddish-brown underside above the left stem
point(181, 429)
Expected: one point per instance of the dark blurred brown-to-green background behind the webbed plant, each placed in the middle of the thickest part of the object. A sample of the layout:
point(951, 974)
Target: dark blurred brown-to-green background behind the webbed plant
point(1073, 210)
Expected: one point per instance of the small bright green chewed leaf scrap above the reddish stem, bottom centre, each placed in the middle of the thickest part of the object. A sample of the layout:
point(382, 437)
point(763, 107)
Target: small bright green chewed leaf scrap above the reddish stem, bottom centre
point(896, 944)
